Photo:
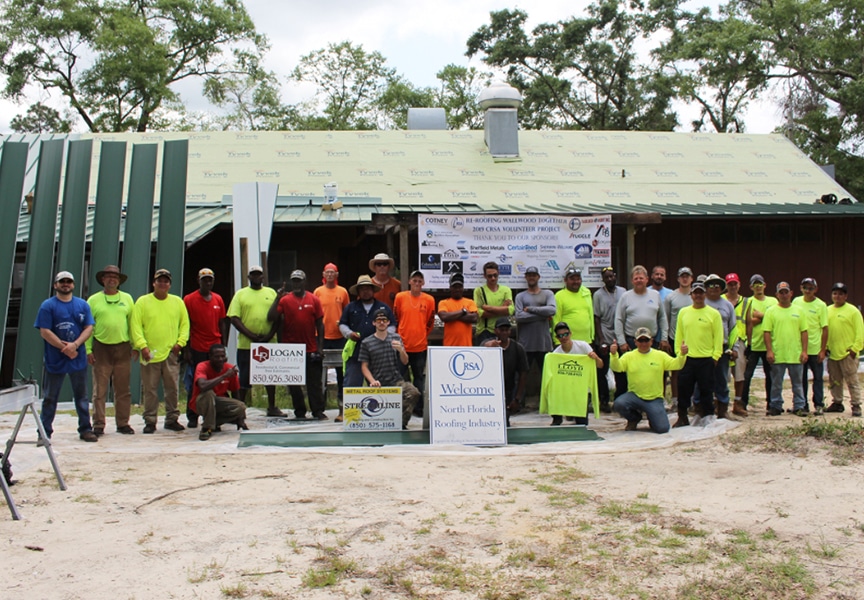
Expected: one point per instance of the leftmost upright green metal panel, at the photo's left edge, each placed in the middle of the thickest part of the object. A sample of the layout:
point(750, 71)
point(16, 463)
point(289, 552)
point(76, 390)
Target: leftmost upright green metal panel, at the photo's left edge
point(13, 166)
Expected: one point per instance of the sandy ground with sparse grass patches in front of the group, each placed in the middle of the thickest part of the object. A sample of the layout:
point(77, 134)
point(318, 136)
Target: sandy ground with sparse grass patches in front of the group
point(167, 516)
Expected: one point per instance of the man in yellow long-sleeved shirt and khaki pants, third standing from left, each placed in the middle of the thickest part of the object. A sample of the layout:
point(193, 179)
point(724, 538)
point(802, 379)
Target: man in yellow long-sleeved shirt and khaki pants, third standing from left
point(160, 329)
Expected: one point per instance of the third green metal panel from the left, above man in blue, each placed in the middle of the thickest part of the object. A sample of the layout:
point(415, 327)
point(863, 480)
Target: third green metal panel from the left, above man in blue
point(73, 212)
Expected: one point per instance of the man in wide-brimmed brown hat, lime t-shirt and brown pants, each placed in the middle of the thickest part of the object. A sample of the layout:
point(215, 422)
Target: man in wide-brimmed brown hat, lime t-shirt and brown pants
point(109, 349)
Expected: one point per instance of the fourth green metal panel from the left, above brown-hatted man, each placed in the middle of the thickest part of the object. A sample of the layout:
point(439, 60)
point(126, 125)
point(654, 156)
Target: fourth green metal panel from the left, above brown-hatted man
point(105, 245)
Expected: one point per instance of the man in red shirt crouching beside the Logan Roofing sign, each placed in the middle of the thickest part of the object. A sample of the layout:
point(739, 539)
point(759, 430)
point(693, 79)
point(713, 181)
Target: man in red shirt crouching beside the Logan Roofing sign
point(214, 378)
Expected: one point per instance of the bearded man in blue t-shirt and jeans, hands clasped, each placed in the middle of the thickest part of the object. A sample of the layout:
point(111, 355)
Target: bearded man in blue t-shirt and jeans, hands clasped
point(65, 322)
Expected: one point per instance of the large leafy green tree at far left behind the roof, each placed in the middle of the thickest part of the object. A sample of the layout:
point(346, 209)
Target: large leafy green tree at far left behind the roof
point(115, 61)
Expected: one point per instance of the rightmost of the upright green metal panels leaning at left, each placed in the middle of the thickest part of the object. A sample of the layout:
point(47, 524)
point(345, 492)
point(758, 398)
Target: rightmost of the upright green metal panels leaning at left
point(172, 212)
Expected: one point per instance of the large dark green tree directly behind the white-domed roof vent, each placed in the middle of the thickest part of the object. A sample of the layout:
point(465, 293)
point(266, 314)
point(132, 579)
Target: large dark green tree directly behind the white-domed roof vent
point(582, 73)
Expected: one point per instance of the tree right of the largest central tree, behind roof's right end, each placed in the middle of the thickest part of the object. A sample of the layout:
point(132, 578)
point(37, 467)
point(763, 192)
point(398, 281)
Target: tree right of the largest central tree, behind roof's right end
point(720, 64)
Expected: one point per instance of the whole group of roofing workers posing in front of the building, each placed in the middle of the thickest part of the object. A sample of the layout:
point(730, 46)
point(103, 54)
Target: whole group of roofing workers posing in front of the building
point(700, 332)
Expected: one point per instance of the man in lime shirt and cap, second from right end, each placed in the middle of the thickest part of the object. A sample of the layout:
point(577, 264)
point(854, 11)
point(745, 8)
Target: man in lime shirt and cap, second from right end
point(816, 312)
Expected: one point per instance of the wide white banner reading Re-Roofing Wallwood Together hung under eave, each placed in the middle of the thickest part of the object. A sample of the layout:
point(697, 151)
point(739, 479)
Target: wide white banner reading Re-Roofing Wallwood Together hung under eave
point(553, 243)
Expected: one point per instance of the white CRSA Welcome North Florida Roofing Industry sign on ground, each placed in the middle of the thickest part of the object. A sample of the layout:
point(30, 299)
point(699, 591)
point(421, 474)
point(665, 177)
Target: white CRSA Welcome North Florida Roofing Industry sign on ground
point(466, 396)
